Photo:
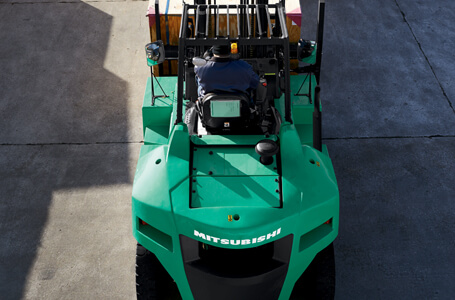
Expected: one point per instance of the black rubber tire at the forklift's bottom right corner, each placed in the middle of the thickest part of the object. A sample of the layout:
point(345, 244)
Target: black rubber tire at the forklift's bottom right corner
point(318, 280)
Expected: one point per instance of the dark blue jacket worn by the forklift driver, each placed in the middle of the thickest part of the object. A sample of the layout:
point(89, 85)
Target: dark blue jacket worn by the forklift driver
point(226, 75)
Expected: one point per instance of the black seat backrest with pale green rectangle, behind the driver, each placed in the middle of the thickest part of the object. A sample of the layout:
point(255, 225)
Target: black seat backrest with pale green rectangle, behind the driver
point(227, 111)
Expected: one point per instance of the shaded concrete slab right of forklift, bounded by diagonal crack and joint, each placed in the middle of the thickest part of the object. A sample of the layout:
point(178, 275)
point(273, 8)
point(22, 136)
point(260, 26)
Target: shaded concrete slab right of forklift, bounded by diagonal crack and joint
point(378, 82)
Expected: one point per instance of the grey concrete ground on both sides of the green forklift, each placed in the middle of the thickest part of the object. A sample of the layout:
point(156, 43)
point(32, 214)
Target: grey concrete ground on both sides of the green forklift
point(72, 76)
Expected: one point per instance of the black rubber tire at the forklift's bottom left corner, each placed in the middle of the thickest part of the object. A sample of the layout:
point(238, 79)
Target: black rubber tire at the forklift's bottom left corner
point(153, 282)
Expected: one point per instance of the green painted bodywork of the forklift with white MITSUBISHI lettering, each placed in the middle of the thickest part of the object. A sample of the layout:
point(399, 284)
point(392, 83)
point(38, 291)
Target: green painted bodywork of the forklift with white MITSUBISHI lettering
point(163, 188)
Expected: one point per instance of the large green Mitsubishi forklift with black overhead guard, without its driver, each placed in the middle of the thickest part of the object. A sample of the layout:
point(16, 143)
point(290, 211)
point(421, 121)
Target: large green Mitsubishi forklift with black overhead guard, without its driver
point(233, 198)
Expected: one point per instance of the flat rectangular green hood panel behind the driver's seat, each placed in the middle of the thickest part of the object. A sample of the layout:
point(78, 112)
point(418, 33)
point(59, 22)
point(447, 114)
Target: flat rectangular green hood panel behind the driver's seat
point(233, 176)
